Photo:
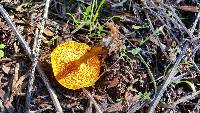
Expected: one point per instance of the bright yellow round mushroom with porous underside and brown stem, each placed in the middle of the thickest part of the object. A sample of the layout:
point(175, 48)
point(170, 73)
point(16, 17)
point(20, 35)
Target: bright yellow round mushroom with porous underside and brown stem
point(76, 65)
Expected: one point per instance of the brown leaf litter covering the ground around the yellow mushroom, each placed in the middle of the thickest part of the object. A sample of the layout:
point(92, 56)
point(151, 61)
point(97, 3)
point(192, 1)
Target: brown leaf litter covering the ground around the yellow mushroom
point(123, 86)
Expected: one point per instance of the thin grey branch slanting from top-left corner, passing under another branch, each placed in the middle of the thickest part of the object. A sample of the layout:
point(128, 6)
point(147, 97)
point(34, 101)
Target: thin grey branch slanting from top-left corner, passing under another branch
point(28, 51)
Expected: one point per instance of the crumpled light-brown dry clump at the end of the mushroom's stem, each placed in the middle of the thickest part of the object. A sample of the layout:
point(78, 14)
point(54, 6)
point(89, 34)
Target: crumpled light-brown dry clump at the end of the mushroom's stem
point(115, 34)
